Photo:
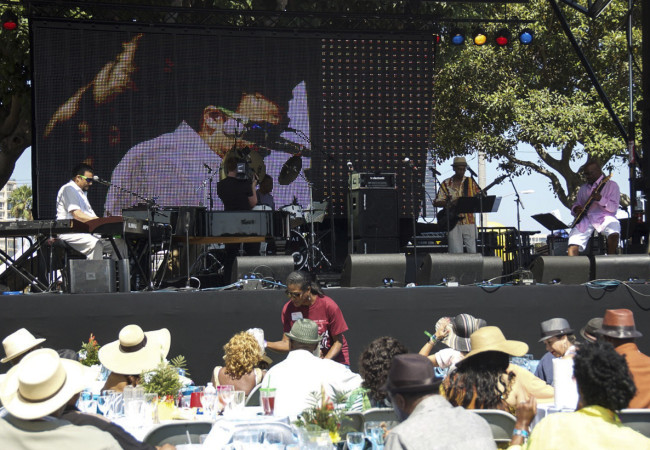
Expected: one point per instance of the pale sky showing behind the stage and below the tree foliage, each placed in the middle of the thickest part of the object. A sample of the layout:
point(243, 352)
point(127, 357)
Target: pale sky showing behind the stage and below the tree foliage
point(541, 200)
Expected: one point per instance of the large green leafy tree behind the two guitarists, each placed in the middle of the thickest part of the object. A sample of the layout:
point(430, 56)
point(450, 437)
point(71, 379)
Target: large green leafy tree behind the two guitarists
point(491, 99)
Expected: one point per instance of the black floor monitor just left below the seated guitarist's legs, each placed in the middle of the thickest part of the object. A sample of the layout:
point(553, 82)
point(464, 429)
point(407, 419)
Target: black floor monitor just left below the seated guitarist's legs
point(562, 269)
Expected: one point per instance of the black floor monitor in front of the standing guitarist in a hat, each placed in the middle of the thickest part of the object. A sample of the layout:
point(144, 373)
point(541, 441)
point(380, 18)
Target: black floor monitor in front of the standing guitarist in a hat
point(465, 268)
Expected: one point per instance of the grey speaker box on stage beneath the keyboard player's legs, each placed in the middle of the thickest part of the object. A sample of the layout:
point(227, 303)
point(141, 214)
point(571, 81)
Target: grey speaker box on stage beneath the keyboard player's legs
point(91, 276)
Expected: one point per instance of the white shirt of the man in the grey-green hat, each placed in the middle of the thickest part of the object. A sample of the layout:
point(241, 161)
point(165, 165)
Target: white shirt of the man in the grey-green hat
point(302, 373)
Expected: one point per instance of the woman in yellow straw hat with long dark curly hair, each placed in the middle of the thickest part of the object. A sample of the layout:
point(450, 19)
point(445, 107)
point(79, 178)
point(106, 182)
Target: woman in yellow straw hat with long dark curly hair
point(485, 379)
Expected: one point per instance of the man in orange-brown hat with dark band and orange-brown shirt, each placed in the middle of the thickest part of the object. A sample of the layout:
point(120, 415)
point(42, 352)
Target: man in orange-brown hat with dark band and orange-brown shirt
point(619, 329)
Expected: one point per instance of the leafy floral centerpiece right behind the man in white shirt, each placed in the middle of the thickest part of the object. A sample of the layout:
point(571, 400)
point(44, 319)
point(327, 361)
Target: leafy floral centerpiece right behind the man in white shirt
point(325, 412)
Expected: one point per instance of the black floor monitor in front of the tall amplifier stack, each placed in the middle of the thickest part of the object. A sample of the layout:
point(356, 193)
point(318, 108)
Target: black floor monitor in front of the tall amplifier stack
point(371, 270)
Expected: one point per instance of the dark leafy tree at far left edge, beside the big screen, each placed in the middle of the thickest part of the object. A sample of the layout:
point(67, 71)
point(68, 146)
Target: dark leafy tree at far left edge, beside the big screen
point(15, 94)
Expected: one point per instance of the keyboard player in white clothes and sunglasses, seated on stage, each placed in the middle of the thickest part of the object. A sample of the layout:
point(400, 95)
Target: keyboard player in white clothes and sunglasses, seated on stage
point(72, 203)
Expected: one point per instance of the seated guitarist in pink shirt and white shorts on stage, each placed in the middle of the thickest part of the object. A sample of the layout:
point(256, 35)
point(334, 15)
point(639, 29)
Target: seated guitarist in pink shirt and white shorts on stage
point(603, 197)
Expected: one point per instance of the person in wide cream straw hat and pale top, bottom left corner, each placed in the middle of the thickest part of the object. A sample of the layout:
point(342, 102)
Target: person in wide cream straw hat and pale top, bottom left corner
point(34, 394)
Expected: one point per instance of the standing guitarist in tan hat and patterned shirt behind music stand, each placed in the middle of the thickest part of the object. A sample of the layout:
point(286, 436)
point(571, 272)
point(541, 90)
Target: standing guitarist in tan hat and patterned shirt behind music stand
point(464, 232)
